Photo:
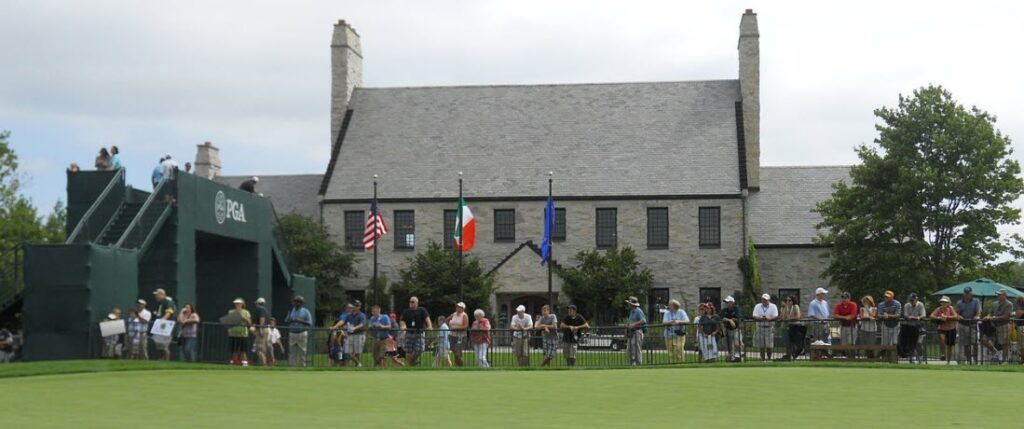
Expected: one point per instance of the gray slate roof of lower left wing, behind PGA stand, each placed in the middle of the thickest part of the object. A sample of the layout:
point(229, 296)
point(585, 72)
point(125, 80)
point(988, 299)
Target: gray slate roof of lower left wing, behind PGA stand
point(289, 193)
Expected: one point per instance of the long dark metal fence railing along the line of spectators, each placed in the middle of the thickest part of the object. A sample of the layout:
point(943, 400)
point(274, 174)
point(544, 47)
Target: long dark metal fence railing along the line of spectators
point(979, 342)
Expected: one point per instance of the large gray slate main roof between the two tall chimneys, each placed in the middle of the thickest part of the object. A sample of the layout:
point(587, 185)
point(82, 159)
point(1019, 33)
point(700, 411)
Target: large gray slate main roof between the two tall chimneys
point(600, 140)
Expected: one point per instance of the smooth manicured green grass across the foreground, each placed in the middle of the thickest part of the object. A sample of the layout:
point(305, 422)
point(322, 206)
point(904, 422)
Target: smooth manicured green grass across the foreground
point(109, 395)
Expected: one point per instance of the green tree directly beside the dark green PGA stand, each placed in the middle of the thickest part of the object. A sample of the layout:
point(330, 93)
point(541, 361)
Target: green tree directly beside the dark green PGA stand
point(312, 252)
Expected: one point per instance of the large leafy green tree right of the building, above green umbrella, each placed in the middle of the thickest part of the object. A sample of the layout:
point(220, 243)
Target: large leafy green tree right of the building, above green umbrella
point(924, 205)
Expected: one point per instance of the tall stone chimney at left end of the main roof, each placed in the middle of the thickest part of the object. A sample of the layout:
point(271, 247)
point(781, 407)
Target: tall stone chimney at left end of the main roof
point(347, 73)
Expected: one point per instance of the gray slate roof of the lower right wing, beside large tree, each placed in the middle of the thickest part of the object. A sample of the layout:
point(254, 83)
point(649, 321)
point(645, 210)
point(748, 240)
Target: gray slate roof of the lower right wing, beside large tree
point(781, 212)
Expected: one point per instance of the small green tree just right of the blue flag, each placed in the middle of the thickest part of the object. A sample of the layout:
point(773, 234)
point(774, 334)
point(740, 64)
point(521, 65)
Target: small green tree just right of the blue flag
point(605, 280)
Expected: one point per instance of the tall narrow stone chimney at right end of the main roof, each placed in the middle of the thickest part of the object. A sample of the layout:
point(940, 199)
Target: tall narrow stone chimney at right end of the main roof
point(750, 90)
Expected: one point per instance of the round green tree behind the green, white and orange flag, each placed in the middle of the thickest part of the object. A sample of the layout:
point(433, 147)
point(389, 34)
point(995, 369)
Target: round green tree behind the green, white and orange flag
point(433, 276)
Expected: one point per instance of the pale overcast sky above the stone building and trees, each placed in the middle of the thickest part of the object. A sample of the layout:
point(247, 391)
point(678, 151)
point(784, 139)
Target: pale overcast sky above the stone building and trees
point(253, 77)
